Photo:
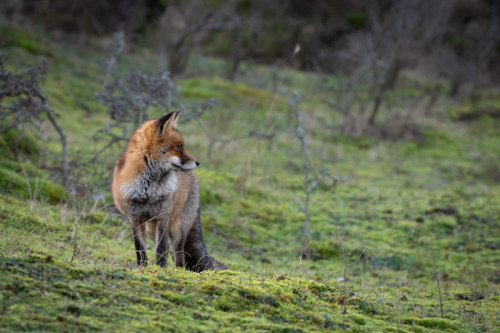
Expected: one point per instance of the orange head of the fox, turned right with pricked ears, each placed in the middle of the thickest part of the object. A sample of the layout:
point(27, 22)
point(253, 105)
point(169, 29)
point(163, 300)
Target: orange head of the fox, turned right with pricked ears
point(164, 144)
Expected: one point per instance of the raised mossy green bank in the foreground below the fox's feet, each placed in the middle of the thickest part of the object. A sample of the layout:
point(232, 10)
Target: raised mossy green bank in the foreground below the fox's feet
point(47, 294)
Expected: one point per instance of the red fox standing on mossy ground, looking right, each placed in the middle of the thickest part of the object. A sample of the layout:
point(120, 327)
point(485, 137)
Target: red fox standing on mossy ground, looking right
point(155, 188)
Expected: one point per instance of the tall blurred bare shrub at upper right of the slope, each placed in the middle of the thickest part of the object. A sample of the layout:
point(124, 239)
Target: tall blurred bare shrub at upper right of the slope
point(394, 42)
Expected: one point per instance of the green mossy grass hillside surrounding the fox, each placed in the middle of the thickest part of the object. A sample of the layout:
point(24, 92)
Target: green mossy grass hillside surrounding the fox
point(410, 209)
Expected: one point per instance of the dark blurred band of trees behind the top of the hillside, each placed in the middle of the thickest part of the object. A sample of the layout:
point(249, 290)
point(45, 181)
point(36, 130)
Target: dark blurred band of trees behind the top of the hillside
point(454, 39)
